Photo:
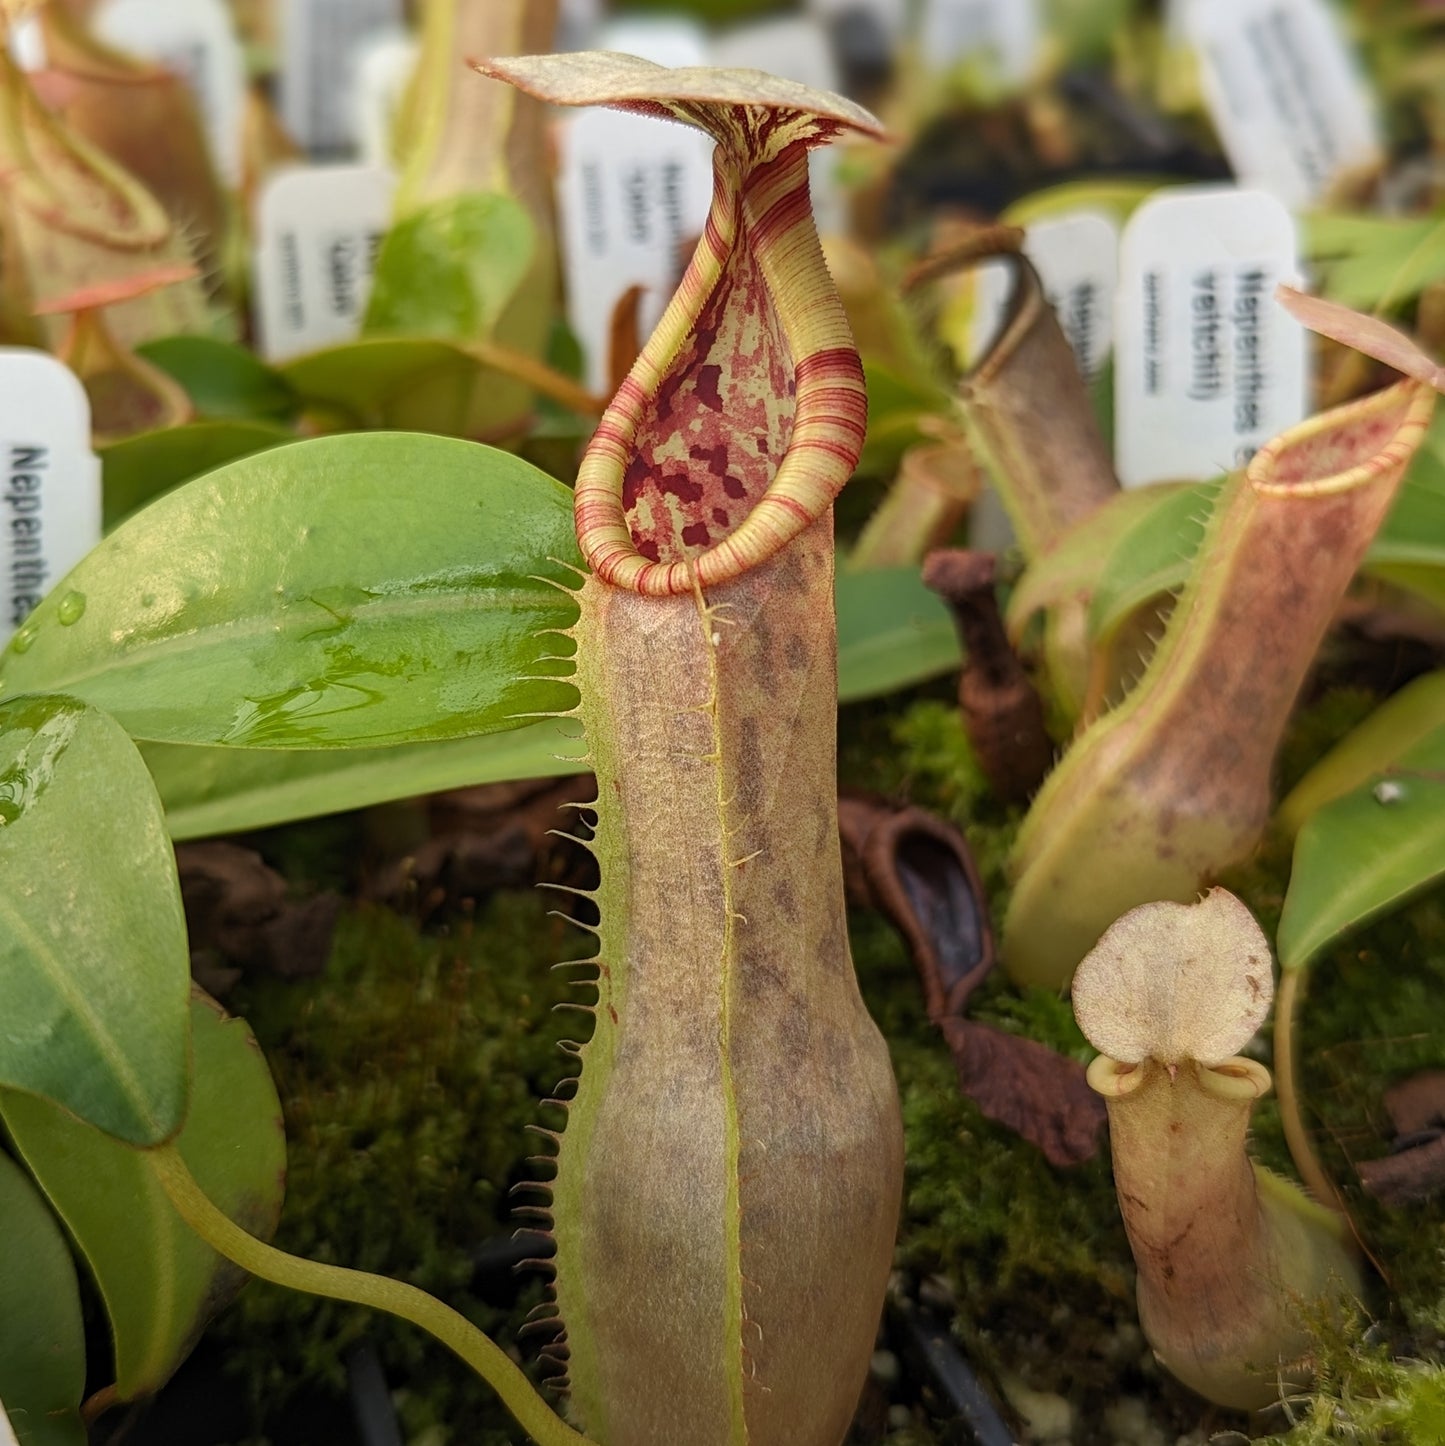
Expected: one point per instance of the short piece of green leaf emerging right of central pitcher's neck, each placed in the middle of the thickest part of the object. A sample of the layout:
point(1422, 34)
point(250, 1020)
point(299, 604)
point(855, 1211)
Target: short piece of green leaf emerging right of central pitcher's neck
point(892, 633)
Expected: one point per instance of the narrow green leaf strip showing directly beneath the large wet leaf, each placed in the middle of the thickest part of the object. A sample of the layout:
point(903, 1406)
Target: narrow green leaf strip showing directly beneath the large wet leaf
point(226, 790)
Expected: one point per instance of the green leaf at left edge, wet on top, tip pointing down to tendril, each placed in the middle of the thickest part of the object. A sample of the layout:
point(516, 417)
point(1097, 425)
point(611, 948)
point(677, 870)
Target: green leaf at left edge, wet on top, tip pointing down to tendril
point(95, 967)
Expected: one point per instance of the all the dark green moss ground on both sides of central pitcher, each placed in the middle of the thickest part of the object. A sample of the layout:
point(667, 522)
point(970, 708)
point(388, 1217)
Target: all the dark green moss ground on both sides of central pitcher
point(413, 1068)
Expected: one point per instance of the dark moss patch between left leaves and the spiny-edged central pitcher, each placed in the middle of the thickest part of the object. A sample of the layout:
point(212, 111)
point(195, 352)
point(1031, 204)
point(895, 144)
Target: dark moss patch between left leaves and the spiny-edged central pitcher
point(409, 1075)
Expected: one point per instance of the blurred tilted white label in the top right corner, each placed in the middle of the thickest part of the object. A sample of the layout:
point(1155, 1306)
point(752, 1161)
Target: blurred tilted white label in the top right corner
point(1287, 96)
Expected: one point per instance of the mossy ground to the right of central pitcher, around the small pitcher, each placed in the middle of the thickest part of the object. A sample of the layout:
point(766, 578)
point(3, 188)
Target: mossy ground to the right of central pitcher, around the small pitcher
point(1038, 1257)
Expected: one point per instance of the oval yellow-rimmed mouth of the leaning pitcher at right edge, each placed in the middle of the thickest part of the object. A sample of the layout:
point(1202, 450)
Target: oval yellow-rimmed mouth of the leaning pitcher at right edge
point(1347, 448)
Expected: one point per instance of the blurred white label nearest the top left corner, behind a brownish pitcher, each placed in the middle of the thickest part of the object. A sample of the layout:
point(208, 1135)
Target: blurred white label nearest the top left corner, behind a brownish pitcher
point(197, 41)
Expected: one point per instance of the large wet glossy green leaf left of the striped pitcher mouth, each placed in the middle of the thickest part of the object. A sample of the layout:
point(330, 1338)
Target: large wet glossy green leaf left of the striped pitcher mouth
point(341, 592)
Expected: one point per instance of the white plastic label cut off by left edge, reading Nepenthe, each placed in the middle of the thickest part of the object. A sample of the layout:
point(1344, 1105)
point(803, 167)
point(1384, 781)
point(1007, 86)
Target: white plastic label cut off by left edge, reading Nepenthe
point(50, 481)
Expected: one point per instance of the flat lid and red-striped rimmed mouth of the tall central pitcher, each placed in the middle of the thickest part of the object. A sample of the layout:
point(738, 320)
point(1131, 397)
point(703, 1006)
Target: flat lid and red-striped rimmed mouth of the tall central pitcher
point(676, 491)
